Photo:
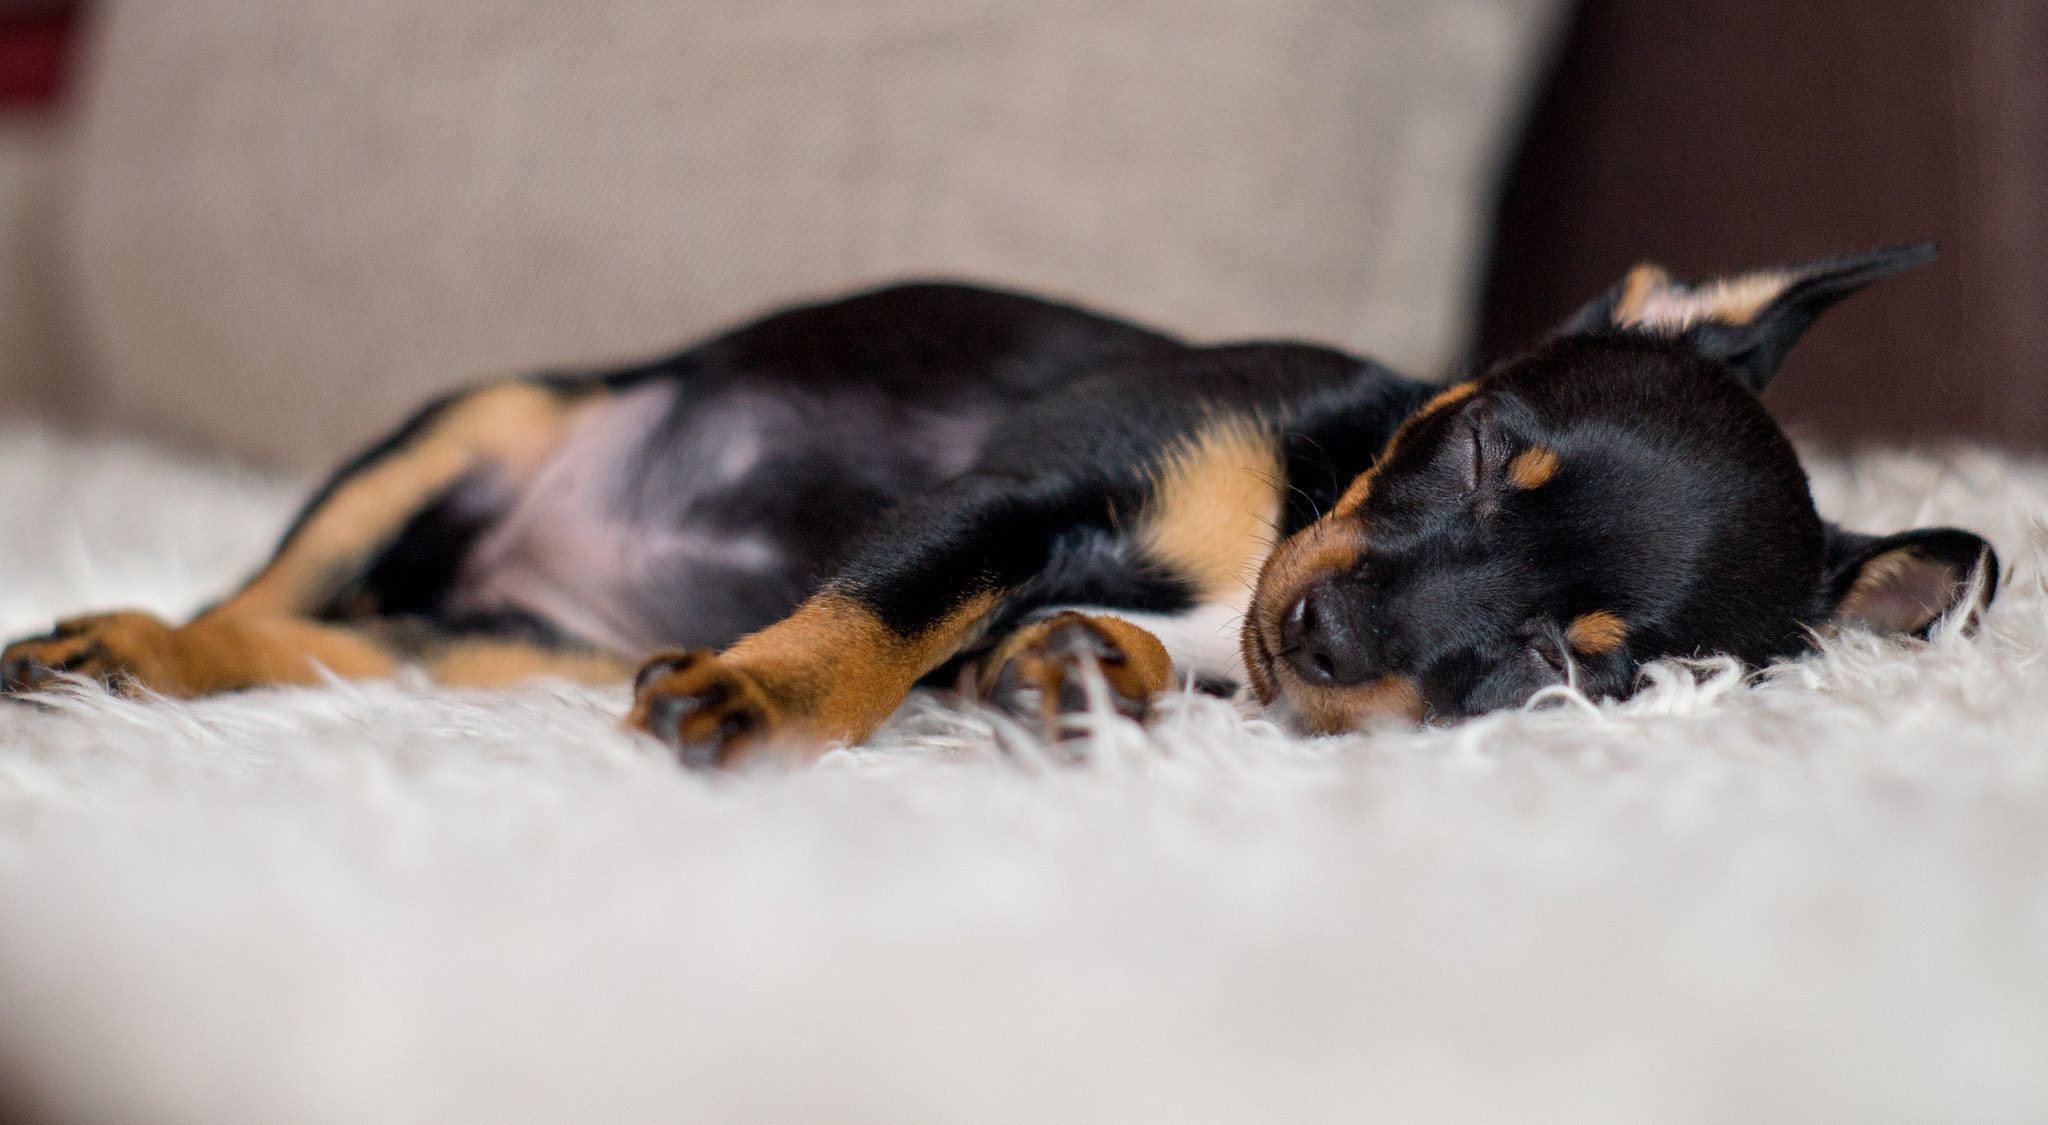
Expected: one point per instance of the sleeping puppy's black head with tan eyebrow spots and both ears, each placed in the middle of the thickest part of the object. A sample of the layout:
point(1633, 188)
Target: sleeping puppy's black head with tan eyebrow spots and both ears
point(1611, 497)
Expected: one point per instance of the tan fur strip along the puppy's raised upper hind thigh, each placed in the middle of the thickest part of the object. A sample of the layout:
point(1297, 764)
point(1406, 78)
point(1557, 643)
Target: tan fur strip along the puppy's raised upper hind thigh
point(513, 425)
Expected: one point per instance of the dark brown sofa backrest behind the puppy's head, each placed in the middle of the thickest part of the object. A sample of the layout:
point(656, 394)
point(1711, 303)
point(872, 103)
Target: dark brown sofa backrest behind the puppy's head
point(1723, 134)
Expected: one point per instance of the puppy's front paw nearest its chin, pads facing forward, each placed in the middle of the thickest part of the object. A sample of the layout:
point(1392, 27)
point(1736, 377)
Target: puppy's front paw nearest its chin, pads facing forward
point(1039, 673)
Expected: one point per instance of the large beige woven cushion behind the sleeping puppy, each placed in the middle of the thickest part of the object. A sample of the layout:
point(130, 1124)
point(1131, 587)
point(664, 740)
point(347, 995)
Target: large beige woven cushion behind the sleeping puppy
point(300, 218)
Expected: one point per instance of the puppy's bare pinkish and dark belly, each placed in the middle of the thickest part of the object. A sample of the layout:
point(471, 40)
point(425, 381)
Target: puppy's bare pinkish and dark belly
point(669, 522)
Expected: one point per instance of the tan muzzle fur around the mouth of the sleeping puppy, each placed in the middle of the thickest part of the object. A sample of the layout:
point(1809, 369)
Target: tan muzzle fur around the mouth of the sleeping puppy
point(1322, 550)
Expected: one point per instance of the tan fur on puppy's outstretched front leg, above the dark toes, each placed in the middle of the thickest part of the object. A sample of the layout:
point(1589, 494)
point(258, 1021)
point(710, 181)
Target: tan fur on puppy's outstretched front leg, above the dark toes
point(837, 671)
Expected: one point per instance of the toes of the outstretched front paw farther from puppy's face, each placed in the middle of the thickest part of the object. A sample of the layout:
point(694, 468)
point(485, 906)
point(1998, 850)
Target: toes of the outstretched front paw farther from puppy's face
point(706, 710)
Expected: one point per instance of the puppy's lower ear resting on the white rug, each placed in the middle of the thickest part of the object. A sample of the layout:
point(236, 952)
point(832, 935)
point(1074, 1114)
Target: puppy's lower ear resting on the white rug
point(1906, 583)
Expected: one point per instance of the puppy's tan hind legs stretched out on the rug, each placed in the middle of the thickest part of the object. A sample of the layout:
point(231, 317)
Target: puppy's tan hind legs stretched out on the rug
point(314, 606)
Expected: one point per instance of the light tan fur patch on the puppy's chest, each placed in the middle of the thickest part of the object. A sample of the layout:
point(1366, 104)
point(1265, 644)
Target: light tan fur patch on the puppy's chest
point(1215, 509)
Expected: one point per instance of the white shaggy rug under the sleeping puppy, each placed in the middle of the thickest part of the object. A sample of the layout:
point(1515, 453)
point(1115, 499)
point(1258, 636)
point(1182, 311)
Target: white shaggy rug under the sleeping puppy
point(1816, 899)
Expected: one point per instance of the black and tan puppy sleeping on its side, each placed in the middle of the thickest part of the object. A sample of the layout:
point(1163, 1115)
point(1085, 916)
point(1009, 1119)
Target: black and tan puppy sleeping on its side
point(814, 513)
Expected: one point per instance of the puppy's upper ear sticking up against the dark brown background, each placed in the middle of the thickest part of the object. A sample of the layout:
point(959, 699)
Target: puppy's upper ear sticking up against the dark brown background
point(1748, 321)
